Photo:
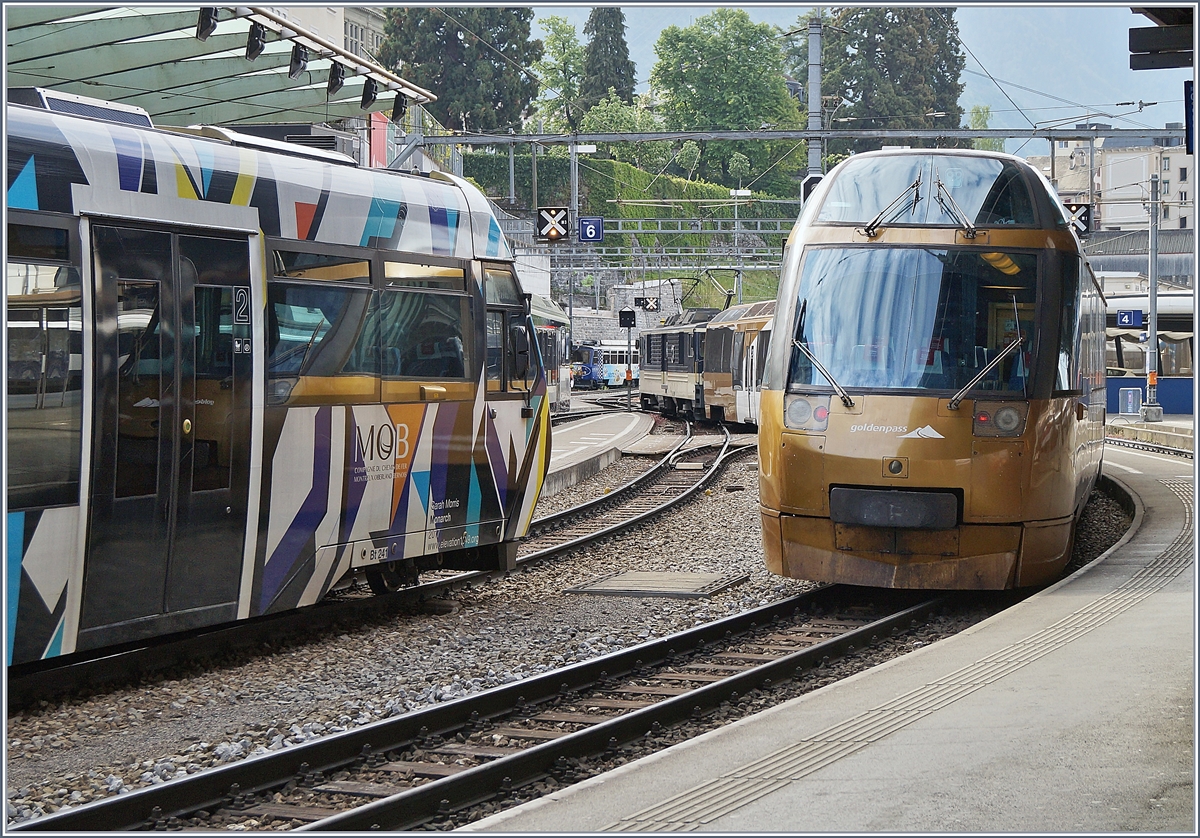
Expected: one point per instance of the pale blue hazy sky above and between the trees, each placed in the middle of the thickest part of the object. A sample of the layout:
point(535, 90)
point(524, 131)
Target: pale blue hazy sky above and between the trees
point(1054, 63)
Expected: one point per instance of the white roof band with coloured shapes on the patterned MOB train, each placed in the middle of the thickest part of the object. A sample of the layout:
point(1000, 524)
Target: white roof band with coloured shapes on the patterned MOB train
point(68, 164)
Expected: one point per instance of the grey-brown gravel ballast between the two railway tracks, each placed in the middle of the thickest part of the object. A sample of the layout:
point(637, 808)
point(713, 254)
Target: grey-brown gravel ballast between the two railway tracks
point(88, 747)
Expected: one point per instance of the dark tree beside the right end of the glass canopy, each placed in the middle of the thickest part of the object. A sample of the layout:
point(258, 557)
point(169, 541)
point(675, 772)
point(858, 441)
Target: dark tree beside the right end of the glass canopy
point(472, 59)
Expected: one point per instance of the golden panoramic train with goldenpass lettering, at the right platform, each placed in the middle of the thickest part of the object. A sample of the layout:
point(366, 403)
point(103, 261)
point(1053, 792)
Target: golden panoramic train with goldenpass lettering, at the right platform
point(933, 402)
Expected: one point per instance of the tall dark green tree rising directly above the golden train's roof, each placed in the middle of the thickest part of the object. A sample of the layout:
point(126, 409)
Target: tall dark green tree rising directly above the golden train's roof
point(897, 68)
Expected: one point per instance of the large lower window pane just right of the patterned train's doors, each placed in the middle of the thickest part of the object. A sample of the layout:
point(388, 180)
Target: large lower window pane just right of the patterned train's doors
point(317, 331)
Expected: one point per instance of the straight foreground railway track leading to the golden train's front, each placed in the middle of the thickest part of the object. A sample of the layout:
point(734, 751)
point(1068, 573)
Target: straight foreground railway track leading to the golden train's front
point(406, 773)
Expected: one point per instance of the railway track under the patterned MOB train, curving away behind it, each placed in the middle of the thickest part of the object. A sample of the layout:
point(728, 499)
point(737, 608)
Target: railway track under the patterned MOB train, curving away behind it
point(620, 511)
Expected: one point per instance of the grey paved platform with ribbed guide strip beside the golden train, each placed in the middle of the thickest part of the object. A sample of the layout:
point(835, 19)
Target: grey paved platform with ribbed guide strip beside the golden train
point(1070, 713)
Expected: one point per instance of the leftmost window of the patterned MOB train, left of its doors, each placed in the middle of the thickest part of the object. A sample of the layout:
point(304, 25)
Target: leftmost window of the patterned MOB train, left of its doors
point(45, 362)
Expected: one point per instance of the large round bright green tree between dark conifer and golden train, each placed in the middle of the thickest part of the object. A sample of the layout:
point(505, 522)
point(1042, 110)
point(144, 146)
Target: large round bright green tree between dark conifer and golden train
point(728, 73)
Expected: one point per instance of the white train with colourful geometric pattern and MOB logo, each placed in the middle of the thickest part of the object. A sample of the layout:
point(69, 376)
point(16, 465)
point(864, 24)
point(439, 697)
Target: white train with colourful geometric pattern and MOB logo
point(241, 379)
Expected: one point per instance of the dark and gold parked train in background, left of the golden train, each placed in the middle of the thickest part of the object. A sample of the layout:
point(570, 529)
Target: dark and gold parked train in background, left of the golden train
point(707, 364)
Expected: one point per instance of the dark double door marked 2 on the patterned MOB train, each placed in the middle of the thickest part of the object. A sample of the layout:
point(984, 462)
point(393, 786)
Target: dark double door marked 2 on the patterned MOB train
point(172, 433)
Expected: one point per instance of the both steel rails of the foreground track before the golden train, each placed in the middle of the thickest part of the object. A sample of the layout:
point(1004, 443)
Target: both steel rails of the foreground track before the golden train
point(230, 785)
